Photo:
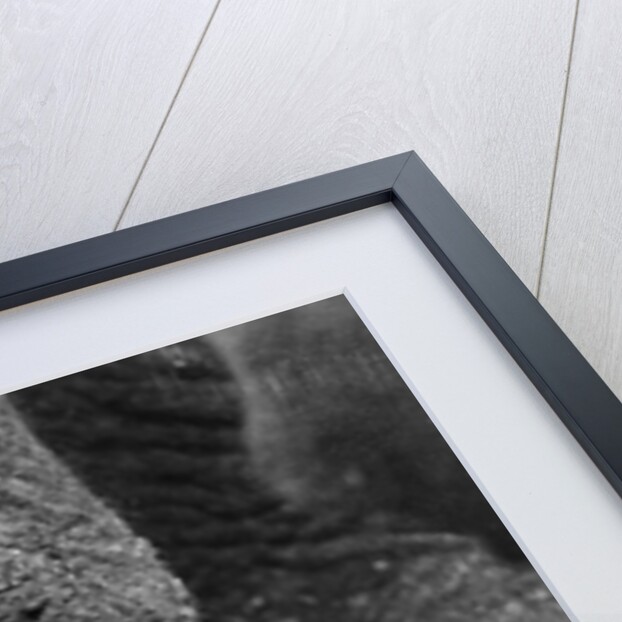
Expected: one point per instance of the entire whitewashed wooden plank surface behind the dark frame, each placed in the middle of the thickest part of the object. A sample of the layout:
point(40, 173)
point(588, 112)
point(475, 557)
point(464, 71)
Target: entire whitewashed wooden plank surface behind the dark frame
point(112, 116)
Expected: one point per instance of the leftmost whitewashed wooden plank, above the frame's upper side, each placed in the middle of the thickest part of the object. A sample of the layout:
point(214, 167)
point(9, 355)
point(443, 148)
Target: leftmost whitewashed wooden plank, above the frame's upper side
point(84, 87)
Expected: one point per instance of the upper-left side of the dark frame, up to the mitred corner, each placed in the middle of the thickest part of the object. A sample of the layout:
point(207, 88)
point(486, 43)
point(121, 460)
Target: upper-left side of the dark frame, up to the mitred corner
point(192, 233)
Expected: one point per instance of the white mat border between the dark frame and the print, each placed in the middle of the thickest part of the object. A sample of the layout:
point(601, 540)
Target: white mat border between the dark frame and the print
point(555, 502)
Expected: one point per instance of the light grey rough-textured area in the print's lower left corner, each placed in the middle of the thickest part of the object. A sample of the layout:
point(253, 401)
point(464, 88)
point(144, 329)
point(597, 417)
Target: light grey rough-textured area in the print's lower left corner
point(64, 555)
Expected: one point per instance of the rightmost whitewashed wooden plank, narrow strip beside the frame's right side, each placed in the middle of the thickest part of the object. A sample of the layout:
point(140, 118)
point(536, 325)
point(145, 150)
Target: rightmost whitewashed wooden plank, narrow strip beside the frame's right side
point(582, 275)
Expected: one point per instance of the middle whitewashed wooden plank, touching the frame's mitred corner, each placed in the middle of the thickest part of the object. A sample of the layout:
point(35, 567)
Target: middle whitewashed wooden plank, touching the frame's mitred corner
point(279, 92)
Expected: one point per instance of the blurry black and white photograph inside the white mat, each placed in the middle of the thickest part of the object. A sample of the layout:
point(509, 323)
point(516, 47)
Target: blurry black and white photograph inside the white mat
point(276, 471)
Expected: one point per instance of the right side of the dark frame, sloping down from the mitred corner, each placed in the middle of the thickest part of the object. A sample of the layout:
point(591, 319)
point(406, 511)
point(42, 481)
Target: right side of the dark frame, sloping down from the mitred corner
point(565, 379)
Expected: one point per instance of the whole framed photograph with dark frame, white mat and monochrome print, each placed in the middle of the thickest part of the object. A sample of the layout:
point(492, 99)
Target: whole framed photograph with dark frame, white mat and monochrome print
point(328, 401)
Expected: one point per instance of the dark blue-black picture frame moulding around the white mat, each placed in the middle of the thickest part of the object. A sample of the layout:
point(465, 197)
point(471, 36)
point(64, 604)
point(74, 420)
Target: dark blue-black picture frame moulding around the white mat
point(572, 388)
